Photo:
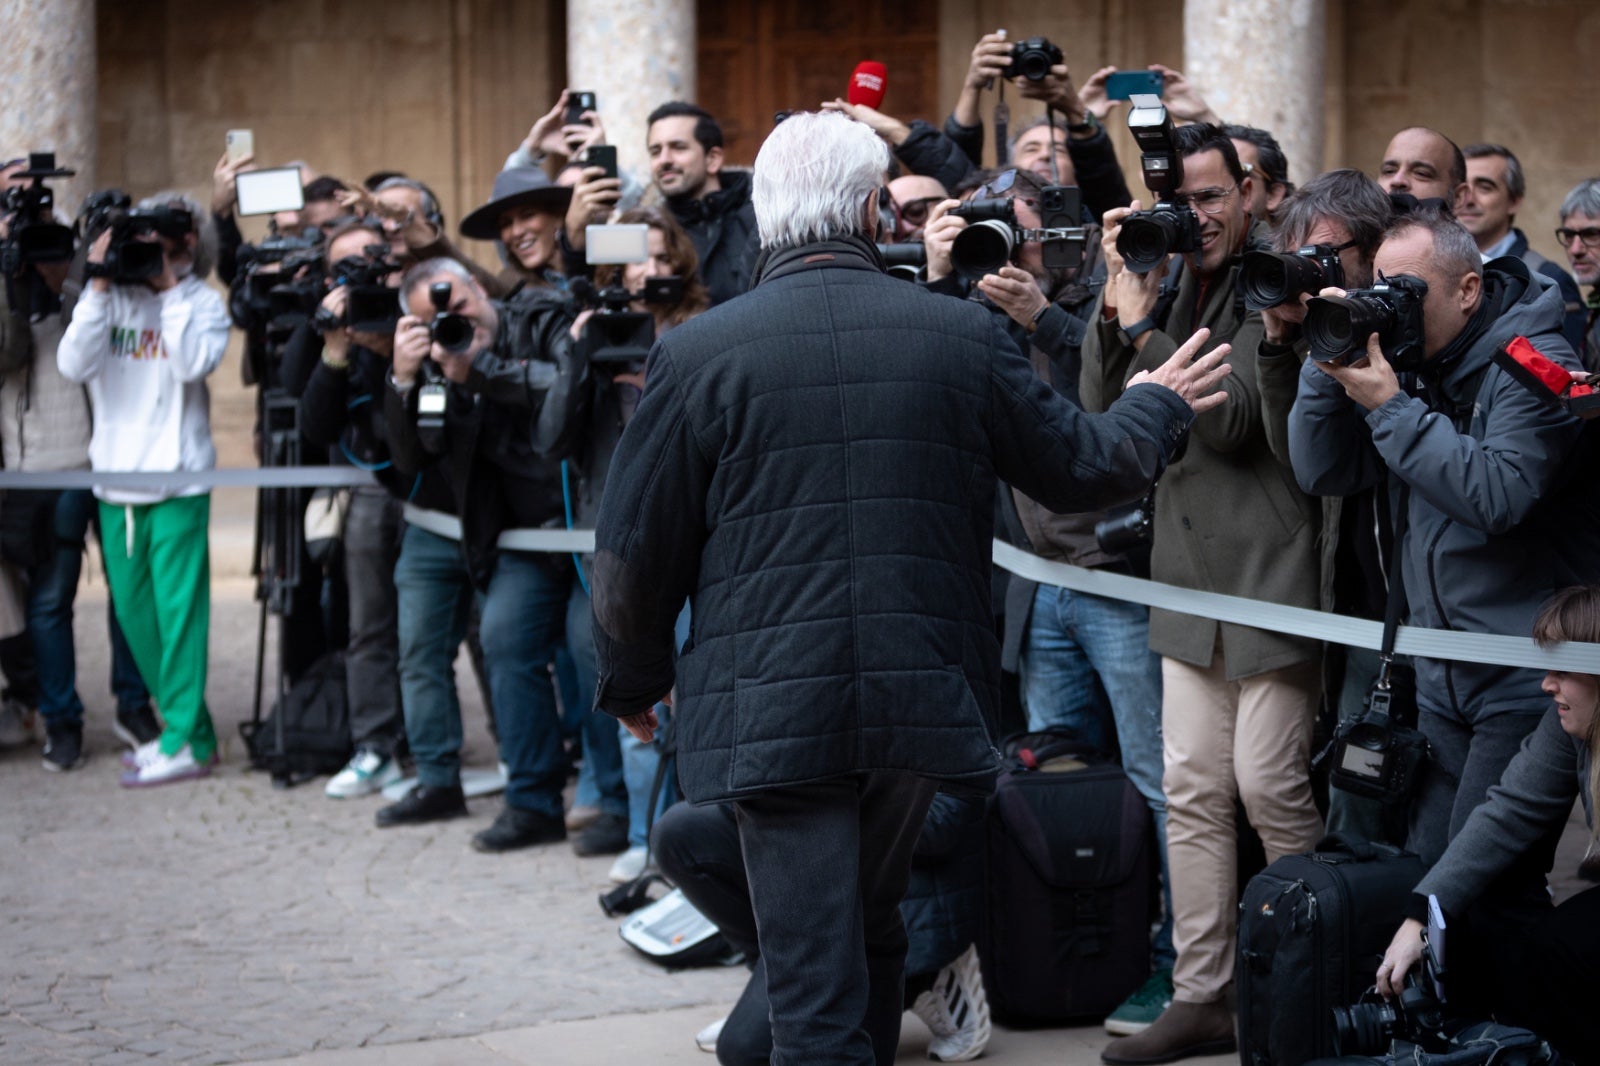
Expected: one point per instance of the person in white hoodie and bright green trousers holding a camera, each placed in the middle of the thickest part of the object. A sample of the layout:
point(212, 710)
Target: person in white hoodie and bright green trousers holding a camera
point(145, 350)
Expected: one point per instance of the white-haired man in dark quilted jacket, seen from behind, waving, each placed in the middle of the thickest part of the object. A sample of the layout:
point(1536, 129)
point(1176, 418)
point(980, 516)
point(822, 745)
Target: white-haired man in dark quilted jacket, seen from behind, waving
point(815, 463)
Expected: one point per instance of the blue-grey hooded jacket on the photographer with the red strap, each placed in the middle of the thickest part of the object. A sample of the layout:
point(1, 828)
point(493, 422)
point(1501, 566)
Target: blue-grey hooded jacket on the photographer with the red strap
point(1481, 553)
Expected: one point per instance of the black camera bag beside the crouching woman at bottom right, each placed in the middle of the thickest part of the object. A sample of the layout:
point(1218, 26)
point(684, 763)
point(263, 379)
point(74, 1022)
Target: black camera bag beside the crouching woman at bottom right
point(1313, 931)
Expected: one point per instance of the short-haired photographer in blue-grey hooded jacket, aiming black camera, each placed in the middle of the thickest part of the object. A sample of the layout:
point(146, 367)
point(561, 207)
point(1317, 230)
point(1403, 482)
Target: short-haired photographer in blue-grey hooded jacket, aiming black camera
point(1401, 383)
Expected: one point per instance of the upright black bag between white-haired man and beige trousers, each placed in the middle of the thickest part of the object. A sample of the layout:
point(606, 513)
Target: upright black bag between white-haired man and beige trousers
point(1066, 932)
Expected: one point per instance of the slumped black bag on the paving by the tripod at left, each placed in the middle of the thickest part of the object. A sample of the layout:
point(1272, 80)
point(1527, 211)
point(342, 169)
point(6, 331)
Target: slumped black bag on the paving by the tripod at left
point(316, 718)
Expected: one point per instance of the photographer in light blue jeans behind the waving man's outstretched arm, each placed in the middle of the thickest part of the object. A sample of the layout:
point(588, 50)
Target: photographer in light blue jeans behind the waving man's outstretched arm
point(1066, 646)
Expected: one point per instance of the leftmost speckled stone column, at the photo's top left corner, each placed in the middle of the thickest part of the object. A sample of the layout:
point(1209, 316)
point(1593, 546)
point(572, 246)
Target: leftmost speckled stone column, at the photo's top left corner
point(49, 89)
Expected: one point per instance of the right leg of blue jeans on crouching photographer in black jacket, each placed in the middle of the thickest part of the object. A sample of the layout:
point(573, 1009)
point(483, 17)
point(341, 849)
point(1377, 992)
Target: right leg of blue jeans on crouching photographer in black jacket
point(522, 615)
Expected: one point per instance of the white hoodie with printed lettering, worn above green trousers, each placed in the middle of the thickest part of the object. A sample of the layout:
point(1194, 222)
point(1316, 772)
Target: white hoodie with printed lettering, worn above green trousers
point(145, 358)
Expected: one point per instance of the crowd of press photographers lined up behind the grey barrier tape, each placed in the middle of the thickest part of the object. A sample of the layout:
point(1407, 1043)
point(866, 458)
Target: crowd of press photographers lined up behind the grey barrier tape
point(1385, 451)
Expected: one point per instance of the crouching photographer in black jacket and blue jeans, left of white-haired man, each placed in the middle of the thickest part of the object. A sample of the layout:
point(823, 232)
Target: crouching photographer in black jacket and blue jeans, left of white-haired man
point(484, 388)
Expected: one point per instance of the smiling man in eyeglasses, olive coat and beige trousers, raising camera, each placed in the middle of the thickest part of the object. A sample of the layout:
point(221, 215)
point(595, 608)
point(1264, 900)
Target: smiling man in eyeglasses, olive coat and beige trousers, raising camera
point(1238, 703)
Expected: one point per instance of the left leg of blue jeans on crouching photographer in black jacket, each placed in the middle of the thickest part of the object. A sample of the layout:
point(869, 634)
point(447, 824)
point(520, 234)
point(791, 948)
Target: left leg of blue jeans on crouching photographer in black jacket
point(434, 599)
